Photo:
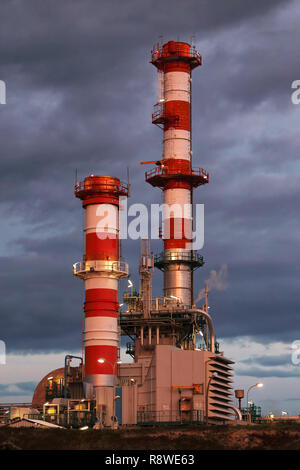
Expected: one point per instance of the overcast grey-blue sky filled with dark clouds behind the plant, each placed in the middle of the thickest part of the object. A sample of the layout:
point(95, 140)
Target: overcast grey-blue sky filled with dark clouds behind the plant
point(80, 92)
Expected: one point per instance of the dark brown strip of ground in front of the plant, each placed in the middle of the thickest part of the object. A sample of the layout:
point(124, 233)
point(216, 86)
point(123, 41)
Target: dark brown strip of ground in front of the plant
point(275, 436)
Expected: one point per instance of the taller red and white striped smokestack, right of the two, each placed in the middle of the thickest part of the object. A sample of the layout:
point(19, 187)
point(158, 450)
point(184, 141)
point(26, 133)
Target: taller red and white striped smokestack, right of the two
point(175, 176)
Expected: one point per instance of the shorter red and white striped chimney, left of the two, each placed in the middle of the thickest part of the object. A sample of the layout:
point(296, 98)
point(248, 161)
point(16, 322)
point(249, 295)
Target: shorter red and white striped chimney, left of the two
point(101, 270)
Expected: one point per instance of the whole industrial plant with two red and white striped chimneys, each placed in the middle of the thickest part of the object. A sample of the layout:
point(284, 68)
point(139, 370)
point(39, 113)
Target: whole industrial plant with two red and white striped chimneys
point(178, 374)
